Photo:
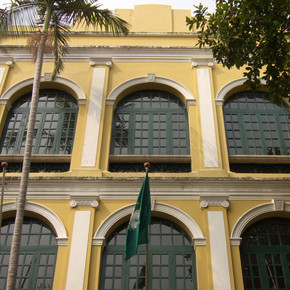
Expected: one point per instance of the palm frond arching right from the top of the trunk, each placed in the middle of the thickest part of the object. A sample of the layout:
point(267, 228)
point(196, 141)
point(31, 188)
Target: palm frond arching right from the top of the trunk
point(79, 12)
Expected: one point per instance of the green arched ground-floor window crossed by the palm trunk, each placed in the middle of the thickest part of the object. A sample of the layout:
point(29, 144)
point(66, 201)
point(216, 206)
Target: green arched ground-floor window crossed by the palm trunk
point(37, 258)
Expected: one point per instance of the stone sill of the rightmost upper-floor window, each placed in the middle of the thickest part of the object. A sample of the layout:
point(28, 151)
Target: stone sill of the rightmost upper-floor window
point(261, 159)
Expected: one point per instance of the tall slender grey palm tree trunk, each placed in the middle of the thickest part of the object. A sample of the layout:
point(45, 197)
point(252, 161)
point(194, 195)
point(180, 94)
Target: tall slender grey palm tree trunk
point(16, 240)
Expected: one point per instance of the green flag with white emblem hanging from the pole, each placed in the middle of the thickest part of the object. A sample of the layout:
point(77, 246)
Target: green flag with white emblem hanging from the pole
point(137, 231)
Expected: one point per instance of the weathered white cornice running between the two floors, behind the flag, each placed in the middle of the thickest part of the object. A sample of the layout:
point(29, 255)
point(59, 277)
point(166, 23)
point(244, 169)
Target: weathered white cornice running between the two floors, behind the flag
point(161, 188)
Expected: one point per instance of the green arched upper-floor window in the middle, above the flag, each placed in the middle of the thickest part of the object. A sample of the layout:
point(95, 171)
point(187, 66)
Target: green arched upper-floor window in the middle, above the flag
point(150, 123)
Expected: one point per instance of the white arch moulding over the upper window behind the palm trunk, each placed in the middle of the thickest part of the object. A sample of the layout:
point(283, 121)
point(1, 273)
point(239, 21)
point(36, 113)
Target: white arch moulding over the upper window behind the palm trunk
point(60, 80)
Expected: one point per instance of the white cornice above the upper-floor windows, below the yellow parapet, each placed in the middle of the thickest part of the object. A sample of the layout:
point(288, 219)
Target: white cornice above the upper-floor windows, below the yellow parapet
point(106, 54)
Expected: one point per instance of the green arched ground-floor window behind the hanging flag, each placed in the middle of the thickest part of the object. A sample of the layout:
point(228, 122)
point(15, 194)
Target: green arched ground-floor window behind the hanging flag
point(172, 260)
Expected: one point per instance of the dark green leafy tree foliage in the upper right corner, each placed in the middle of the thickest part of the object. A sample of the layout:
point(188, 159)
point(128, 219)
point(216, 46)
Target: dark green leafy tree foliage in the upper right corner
point(250, 33)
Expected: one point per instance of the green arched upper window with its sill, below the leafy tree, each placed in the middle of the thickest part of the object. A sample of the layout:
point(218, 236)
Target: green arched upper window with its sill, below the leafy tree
point(256, 126)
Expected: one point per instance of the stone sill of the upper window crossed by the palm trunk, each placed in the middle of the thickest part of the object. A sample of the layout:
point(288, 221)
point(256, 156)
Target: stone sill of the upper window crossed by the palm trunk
point(37, 158)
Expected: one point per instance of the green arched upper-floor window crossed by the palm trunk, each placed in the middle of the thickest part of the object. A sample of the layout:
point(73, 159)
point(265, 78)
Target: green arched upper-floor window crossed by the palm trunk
point(54, 128)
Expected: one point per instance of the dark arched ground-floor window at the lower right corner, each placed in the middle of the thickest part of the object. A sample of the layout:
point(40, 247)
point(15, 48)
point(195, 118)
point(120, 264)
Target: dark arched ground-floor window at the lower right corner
point(265, 254)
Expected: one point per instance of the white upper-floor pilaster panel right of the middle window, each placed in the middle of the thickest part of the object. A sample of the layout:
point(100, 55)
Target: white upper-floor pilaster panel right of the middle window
point(207, 119)
